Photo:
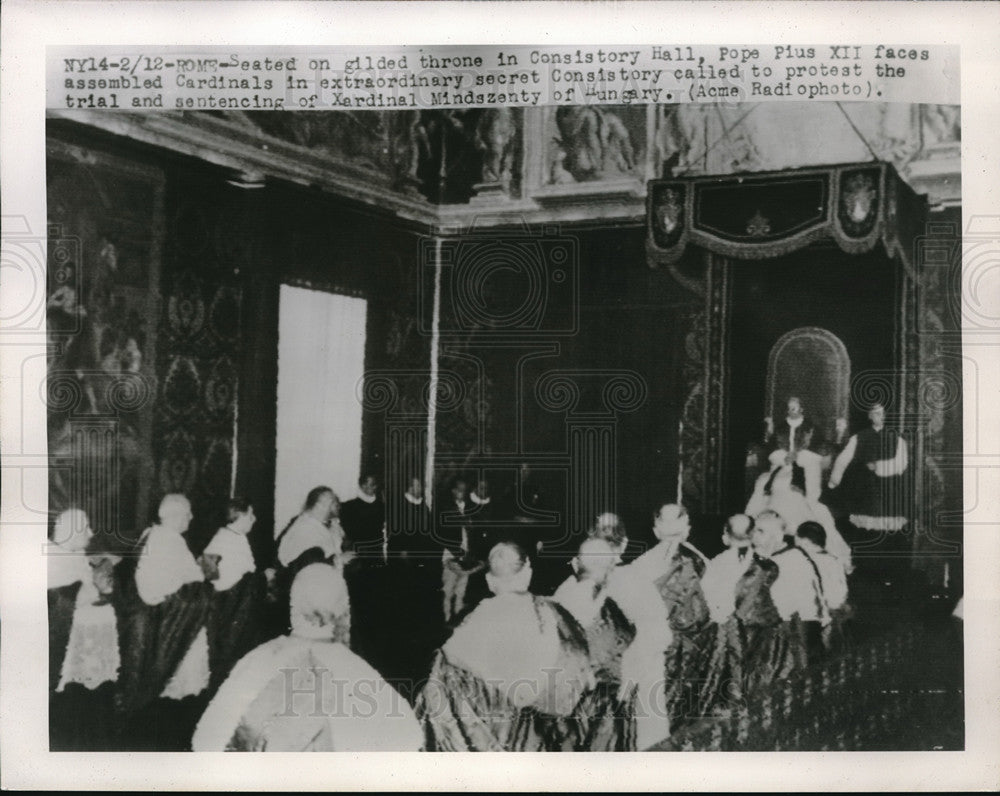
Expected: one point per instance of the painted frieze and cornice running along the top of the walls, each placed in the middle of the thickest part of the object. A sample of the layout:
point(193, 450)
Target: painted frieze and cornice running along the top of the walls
point(535, 166)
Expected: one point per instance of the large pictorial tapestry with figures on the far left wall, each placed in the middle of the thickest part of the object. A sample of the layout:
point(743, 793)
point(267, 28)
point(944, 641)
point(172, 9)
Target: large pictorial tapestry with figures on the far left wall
point(106, 218)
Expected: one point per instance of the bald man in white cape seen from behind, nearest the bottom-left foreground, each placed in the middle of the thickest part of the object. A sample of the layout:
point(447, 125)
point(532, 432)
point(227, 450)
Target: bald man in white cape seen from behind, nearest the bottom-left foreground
point(338, 702)
